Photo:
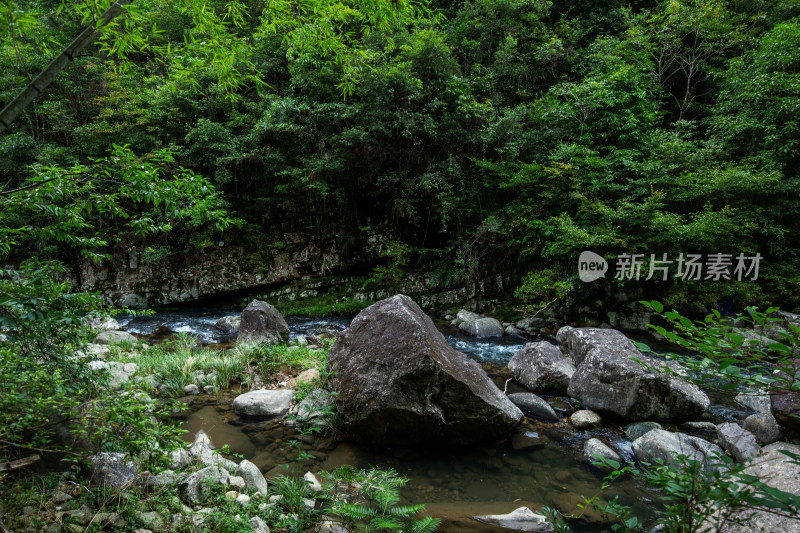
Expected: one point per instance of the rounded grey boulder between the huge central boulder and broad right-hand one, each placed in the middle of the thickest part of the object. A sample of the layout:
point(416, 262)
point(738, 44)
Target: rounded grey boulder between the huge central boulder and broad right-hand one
point(542, 368)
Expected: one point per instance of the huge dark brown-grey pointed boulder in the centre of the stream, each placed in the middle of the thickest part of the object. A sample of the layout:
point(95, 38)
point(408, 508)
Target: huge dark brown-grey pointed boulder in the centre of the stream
point(400, 383)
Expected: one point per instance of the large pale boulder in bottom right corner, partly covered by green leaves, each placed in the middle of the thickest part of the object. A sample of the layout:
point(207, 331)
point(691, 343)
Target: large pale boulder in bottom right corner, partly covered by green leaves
point(778, 471)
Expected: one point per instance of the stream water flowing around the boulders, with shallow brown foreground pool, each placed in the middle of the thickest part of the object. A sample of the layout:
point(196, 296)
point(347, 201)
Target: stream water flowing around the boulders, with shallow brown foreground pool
point(543, 465)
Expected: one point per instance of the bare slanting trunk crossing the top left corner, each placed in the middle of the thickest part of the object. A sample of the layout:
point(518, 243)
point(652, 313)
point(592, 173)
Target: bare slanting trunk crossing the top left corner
point(46, 77)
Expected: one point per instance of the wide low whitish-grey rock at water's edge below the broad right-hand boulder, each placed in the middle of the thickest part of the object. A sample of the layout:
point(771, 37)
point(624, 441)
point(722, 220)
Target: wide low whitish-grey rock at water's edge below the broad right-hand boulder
point(664, 445)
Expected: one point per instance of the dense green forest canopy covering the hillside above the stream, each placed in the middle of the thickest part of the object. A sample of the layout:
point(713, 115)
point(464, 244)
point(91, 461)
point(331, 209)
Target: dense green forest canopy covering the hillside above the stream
point(517, 131)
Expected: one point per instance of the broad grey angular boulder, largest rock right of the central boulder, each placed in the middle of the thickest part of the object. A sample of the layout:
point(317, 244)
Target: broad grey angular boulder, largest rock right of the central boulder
point(611, 378)
